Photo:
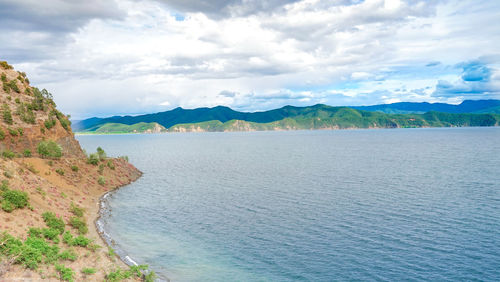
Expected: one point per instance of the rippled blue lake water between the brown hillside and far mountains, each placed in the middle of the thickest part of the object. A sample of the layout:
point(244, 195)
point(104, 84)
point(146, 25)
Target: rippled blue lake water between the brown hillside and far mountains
point(405, 204)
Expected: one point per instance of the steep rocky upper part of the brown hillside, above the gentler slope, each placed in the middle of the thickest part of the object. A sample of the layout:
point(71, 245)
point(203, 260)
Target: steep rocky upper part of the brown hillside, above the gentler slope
point(29, 116)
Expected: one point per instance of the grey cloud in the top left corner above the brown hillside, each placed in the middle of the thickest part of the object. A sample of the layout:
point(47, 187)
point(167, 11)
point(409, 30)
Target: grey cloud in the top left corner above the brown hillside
point(34, 30)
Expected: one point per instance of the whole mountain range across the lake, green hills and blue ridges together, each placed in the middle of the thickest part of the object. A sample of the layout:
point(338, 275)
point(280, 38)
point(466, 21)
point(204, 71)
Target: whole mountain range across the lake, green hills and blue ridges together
point(220, 118)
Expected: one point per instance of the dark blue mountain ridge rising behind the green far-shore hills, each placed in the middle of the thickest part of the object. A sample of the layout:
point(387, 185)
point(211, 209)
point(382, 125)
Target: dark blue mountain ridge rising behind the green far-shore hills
point(221, 114)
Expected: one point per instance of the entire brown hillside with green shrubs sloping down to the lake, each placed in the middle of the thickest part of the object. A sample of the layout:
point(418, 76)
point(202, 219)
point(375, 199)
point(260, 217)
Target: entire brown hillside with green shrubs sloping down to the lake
point(50, 190)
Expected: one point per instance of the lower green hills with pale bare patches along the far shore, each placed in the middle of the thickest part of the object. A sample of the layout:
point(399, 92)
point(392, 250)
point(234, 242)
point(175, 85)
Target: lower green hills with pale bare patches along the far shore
point(325, 117)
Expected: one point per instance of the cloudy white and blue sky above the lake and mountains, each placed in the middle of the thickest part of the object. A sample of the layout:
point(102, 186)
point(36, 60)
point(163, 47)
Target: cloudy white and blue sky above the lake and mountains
point(117, 57)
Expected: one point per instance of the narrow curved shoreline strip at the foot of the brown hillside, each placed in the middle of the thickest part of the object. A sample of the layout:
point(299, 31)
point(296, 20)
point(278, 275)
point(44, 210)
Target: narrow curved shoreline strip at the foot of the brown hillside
point(99, 225)
